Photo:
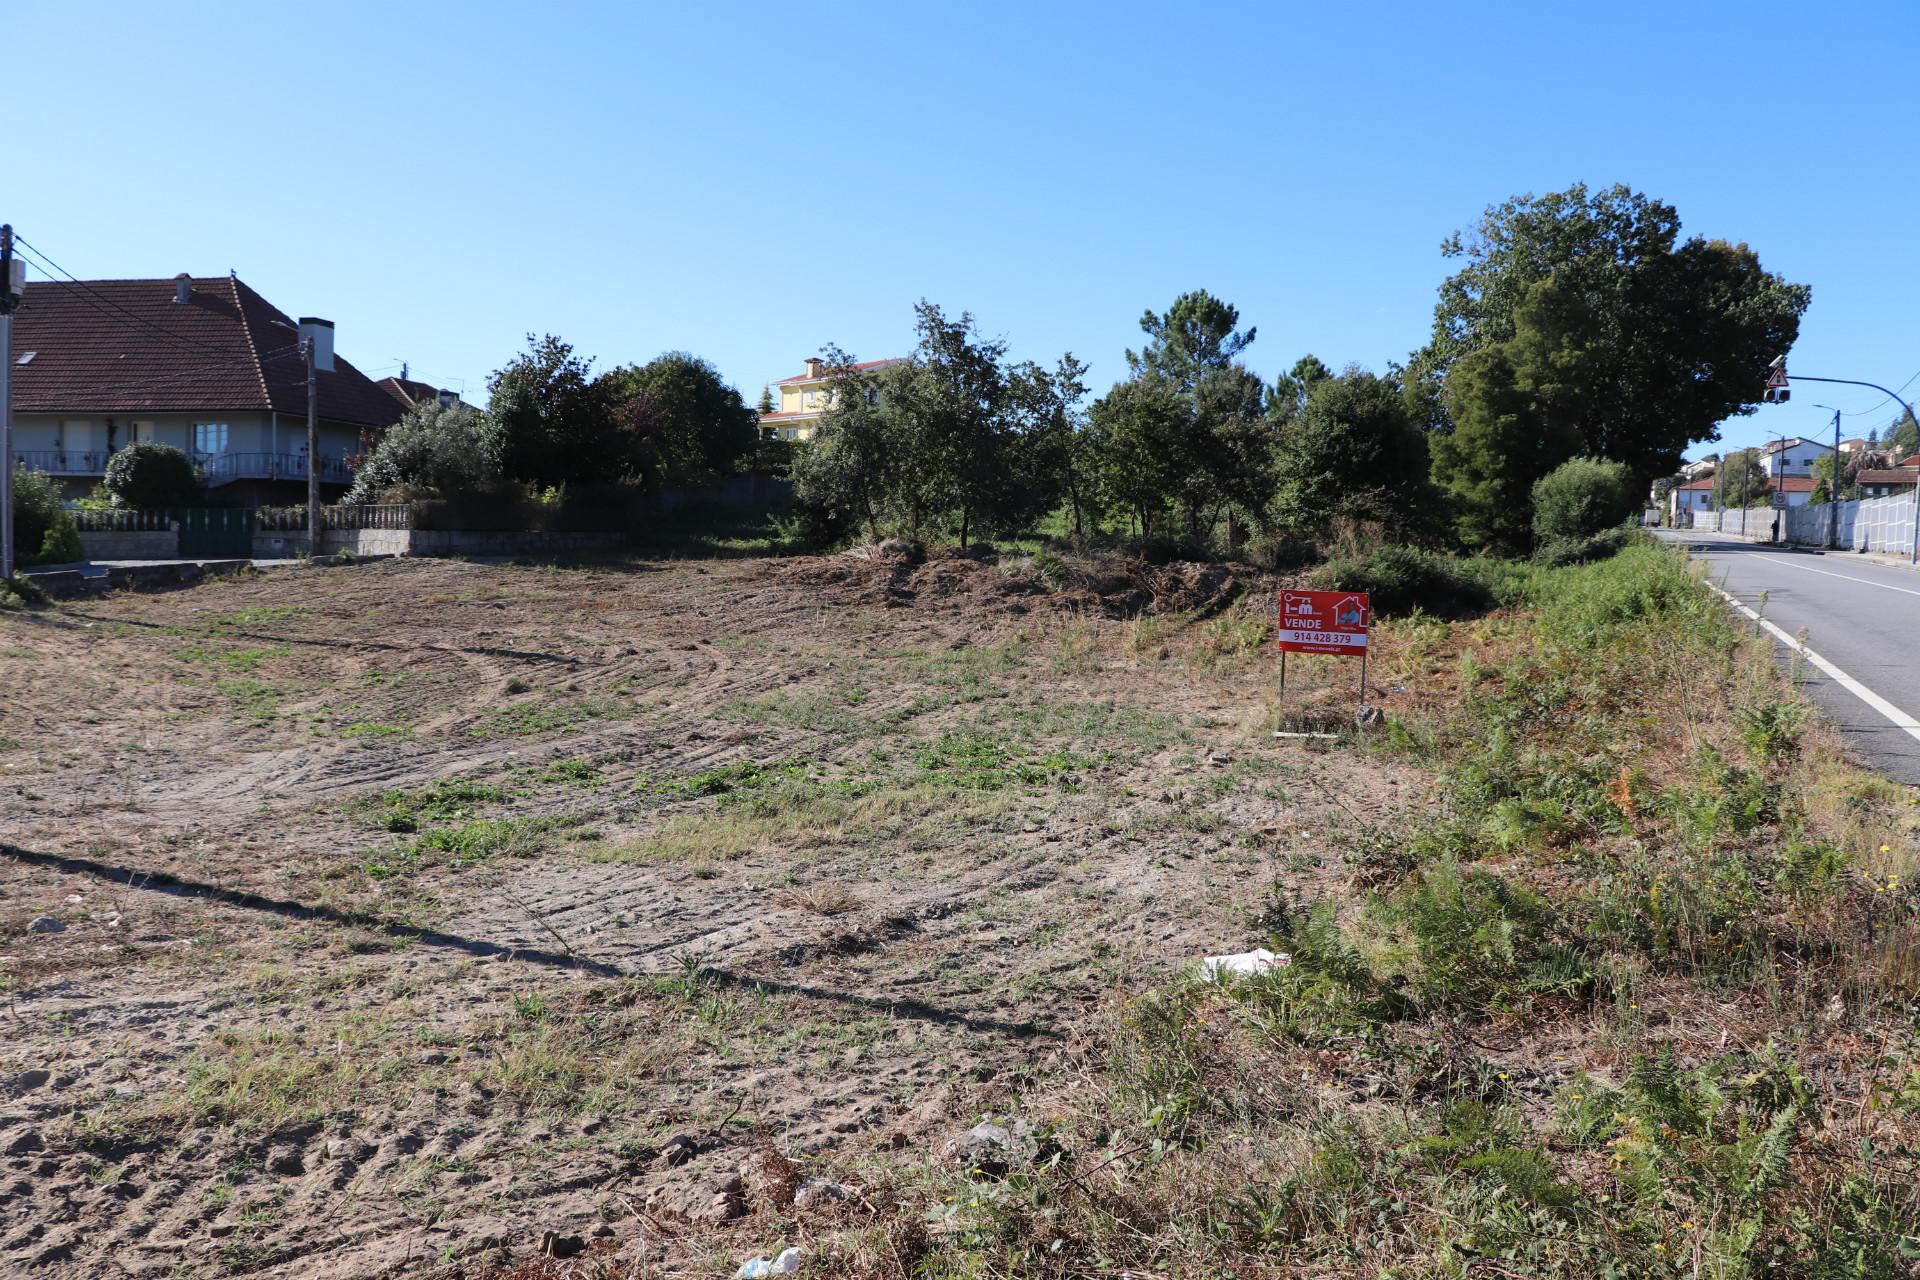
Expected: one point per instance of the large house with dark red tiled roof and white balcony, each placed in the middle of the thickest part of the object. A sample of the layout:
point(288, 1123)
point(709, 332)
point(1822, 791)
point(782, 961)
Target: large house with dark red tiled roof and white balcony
point(199, 362)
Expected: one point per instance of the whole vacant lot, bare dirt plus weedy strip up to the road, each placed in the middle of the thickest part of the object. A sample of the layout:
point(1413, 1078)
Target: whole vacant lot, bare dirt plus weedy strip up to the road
point(437, 918)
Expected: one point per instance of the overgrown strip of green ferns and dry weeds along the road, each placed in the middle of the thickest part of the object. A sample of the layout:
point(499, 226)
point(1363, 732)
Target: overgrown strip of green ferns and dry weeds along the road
point(1635, 1001)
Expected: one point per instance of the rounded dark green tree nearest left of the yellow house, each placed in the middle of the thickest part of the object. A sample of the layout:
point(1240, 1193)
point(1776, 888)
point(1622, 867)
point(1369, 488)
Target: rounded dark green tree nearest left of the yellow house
point(694, 427)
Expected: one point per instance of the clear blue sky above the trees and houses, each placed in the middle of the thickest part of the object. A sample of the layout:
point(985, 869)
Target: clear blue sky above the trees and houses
point(752, 181)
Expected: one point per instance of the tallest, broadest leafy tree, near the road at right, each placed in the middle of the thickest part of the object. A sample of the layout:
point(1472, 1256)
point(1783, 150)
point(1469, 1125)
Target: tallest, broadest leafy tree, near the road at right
point(1646, 341)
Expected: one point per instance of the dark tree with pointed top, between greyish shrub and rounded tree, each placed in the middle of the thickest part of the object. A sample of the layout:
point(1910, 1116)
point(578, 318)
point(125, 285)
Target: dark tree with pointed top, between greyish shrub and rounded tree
point(560, 425)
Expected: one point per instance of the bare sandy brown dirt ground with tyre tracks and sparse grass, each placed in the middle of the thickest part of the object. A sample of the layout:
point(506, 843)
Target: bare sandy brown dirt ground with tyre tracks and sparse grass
point(420, 918)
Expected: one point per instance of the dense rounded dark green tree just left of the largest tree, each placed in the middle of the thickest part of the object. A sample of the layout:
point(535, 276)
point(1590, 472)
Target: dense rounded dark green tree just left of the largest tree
point(1353, 454)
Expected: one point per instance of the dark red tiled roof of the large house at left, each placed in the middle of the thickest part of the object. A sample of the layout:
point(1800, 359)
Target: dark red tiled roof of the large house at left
point(126, 346)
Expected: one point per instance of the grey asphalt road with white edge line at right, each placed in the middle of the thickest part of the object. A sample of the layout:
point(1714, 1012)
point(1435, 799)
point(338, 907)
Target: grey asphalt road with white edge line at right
point(1861, 621)
